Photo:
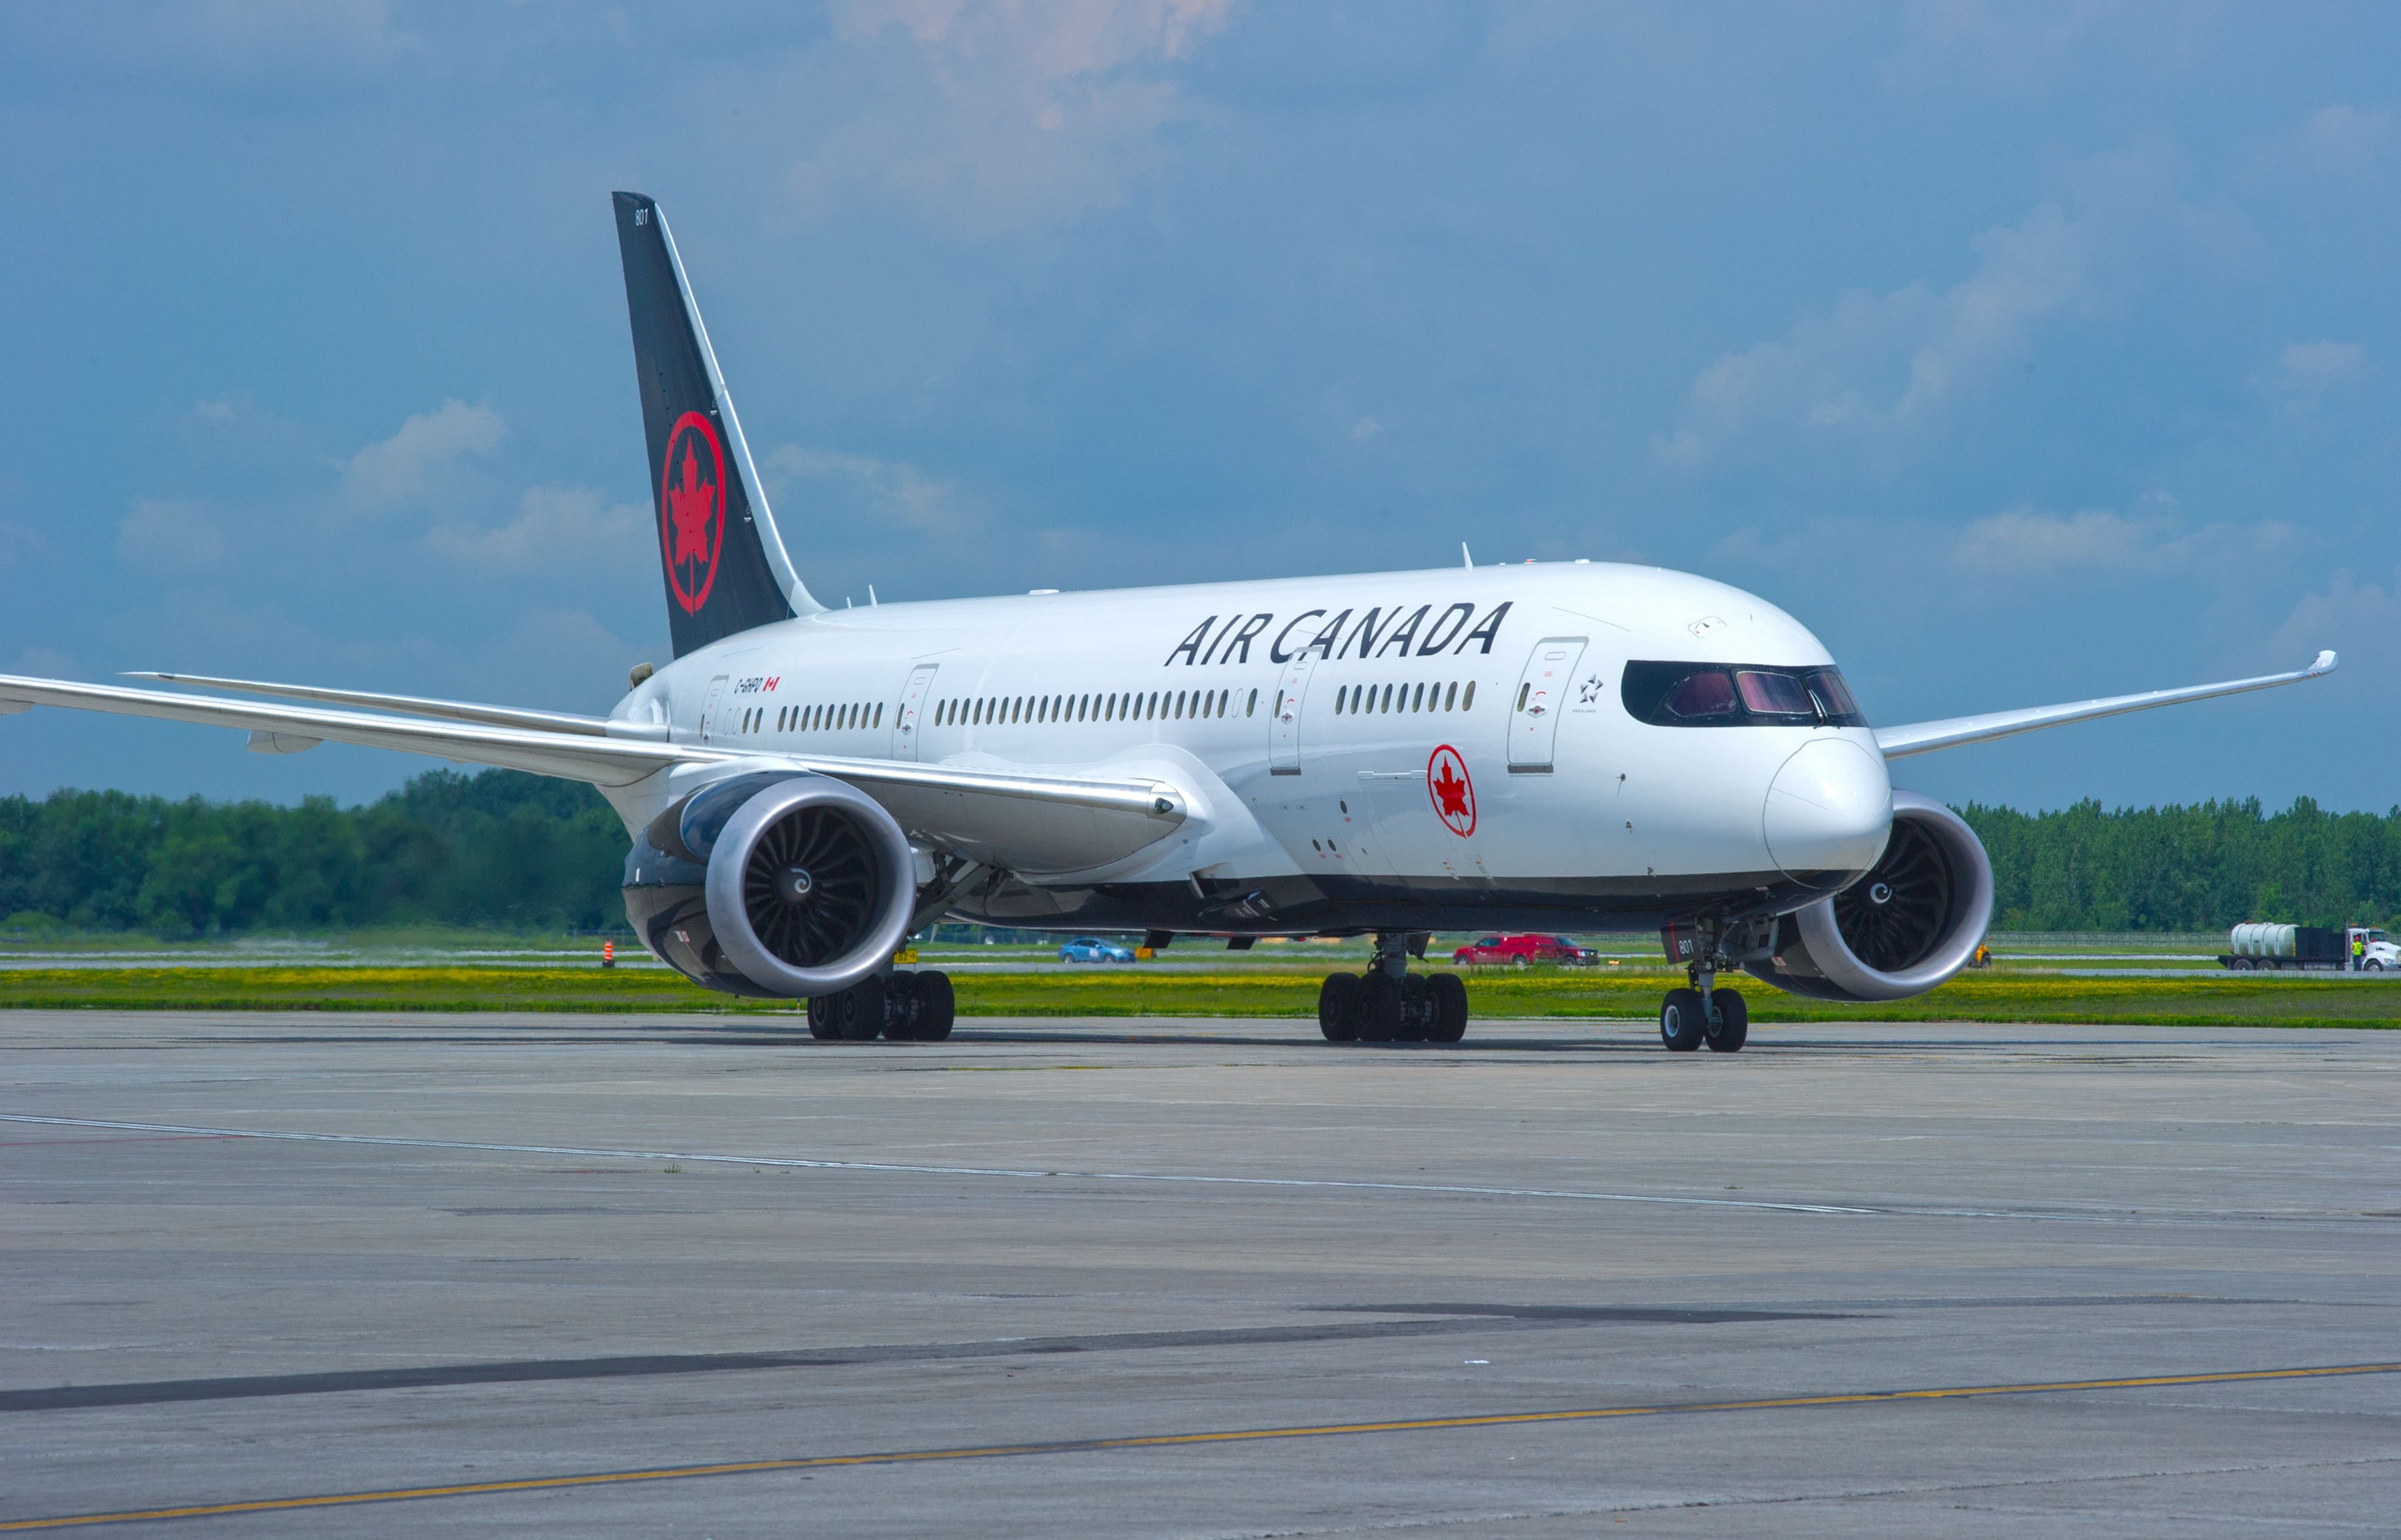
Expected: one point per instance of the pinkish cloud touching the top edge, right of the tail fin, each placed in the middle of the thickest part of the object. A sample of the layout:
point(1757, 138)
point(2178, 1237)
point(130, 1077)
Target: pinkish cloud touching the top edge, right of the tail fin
point(1002, 114)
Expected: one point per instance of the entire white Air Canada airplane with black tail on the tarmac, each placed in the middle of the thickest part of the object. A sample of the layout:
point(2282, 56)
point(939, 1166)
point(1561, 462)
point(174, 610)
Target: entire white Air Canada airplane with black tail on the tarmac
point(1559, 746)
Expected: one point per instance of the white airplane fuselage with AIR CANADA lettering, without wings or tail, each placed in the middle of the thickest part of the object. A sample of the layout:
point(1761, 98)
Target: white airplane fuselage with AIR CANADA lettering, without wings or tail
point(1418, 746)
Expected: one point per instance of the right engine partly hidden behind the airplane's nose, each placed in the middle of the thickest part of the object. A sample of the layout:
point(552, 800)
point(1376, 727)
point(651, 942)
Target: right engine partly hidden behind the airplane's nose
point(1903, 929)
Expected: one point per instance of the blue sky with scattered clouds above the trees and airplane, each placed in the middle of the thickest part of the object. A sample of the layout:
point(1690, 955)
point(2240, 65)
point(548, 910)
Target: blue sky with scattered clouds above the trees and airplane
point(2023, 352)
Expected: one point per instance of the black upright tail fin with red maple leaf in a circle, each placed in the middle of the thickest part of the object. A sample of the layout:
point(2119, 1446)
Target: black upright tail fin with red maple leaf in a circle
point(717, 542)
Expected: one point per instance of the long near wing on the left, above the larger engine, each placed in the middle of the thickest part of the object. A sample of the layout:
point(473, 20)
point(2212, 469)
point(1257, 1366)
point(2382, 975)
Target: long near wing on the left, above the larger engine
point(1007, 818)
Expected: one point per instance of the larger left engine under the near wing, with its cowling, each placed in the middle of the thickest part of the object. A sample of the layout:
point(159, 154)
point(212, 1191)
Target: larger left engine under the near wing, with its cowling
point(772, 885)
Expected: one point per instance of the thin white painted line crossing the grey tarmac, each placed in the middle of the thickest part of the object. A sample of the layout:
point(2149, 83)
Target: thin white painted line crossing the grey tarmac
point(928, 1171)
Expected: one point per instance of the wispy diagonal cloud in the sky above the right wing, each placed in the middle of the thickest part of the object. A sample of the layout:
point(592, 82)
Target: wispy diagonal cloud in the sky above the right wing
point(1881, 366)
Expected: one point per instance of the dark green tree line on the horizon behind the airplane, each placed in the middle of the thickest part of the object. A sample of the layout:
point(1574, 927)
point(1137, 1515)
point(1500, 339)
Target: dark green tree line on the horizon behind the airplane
point(513, 852)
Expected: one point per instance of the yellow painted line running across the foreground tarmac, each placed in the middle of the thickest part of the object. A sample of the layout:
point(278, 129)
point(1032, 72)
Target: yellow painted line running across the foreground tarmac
point(1170, 1440)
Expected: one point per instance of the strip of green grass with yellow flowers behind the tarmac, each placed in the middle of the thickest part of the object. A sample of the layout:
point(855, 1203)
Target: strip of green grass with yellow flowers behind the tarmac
point(1262, 993)
